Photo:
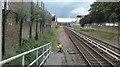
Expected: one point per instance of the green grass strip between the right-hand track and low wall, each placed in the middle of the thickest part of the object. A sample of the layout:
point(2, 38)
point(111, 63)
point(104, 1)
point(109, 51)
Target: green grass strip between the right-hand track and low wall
point(110, 37)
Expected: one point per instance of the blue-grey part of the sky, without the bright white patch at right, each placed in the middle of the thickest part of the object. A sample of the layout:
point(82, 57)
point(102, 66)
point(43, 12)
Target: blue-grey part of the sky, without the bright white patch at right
point(63, 9)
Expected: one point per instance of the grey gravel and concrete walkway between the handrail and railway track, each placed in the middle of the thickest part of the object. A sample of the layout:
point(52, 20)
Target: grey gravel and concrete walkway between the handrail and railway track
point(70, 56)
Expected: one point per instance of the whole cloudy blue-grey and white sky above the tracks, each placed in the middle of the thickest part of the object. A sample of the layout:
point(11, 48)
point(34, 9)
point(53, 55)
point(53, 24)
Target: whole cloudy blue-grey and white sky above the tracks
point(68, 9)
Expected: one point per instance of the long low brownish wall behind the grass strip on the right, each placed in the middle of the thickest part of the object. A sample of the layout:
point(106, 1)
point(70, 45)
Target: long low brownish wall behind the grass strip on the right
point(112, 29)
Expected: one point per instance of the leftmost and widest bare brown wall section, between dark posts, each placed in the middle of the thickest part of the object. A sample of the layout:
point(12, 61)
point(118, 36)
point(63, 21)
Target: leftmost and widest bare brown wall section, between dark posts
point(12, 31)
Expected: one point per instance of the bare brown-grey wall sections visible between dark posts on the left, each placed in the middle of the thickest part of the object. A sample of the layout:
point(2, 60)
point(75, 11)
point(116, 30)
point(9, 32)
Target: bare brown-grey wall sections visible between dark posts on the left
point(12, 33)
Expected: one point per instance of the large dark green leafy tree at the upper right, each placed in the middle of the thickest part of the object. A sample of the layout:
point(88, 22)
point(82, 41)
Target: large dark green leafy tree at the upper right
point(104, 11)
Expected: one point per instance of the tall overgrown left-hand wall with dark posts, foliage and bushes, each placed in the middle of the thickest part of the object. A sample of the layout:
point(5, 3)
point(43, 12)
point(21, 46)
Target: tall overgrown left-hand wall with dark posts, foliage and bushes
point(29, 22)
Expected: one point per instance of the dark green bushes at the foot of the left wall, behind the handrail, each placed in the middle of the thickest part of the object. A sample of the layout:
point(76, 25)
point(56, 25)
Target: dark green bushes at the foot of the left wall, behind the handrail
point(27, 45)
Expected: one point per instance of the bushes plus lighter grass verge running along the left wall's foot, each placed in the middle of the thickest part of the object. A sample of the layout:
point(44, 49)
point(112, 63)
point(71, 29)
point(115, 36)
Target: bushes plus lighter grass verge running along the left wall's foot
point(28, 44)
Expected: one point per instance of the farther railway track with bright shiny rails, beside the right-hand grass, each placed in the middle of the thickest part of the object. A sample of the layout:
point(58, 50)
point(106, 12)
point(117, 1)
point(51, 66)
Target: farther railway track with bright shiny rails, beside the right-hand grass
point(112, 51)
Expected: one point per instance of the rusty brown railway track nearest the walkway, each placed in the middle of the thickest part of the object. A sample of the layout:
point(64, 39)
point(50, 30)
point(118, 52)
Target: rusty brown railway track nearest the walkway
point(91, 55)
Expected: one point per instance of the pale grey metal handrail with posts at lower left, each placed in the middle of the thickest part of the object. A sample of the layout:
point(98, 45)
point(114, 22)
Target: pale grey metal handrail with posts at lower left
point(27, 52)
